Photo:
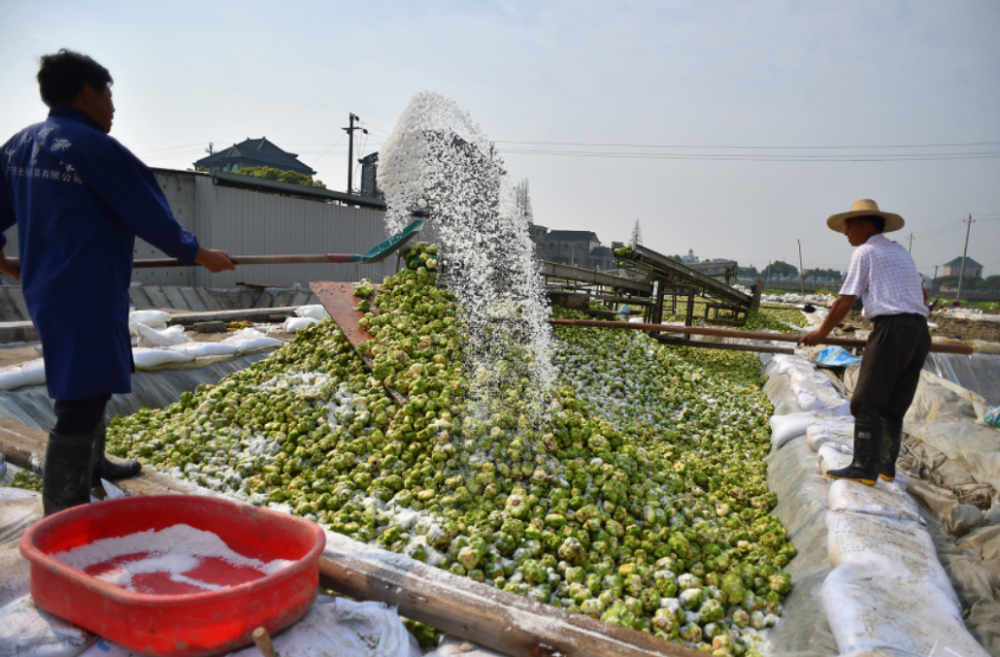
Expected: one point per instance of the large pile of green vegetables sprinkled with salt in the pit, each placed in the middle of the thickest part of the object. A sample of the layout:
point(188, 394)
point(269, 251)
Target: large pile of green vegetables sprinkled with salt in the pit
point(638, 497)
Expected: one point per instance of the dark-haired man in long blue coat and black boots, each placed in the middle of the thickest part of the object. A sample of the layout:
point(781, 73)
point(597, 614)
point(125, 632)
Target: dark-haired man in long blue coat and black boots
point(79, 199)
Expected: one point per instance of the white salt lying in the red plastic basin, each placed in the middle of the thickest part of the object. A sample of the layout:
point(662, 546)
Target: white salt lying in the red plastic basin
point(174, 550)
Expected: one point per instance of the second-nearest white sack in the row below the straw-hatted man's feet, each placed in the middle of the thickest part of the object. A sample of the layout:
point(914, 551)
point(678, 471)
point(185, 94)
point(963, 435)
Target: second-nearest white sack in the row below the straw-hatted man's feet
point(894, 548)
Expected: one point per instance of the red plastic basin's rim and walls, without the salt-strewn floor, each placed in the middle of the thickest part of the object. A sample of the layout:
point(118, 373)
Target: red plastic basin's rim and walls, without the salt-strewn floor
point(189, 624)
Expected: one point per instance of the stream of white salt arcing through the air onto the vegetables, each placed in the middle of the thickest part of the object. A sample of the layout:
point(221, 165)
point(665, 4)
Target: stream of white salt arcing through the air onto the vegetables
point(440, 163)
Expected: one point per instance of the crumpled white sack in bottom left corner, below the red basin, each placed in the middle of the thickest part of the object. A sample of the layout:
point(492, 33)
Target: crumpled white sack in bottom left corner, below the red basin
point(27, 631)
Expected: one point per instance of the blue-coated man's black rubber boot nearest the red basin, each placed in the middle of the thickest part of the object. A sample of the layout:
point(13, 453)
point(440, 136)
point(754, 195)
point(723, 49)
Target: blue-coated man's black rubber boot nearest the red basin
point(66, 475)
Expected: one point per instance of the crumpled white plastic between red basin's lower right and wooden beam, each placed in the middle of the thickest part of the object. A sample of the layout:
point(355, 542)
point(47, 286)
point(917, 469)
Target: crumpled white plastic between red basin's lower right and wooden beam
point(334, 627)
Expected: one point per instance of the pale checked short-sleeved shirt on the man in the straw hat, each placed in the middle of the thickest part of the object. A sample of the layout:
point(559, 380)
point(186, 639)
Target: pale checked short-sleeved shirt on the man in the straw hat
point(884, 275)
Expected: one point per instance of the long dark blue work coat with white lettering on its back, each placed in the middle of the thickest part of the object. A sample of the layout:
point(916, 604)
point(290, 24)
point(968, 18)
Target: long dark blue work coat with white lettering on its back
point(79, 199)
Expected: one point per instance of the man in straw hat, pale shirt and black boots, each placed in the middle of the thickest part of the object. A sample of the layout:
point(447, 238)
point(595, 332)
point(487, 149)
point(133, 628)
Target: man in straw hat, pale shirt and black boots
point(884, 275)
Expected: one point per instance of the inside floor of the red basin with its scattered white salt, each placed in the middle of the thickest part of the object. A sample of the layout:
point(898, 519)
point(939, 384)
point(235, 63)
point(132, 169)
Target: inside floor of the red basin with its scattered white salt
point(176, 560)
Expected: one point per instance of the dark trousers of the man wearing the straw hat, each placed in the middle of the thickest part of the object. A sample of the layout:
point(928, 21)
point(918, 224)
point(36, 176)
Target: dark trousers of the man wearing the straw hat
point(890, 369)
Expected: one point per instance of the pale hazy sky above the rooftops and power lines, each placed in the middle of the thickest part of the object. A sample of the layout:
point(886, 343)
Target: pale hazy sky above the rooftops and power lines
point(735, 127)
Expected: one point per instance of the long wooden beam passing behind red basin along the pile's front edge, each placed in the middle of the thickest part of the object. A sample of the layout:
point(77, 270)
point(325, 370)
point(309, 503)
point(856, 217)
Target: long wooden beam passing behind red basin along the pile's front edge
point(508, 623)
